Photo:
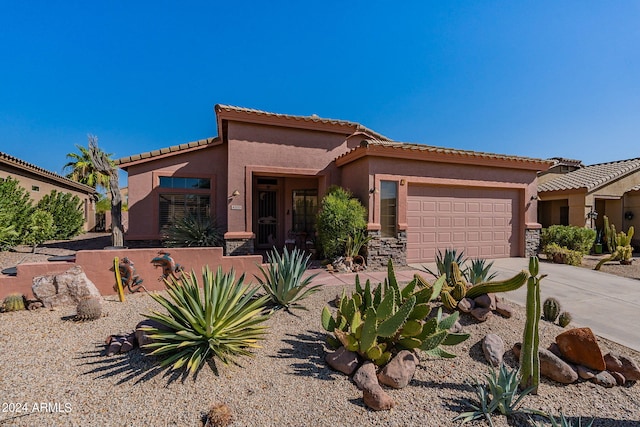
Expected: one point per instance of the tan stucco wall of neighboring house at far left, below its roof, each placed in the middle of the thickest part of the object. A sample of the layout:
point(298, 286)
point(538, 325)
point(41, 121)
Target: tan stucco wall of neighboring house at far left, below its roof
point(28, 181)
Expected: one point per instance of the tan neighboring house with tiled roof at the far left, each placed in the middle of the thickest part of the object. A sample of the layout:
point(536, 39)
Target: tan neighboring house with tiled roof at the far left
point(39, 182)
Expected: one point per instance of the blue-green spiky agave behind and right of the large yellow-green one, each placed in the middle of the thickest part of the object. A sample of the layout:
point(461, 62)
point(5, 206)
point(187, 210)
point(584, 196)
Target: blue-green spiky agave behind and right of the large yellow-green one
point(283, 279)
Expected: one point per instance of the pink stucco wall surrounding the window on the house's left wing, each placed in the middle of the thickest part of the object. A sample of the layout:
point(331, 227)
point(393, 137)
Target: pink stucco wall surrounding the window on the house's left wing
point(143, 183)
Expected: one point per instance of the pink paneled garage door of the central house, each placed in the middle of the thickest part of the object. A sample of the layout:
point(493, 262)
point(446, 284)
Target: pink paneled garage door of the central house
point(482, 222)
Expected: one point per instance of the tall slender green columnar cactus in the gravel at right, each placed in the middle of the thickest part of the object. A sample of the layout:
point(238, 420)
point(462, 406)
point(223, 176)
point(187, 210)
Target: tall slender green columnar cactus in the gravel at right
point(529, 357)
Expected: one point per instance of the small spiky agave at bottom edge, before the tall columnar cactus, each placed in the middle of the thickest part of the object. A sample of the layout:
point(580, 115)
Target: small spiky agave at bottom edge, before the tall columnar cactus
point(500, 395)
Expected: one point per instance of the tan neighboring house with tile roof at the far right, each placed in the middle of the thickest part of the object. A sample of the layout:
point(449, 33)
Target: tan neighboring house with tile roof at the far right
point(584, 196)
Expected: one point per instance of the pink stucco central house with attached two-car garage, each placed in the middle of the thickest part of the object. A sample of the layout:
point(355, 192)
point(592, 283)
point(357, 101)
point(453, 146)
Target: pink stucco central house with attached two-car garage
point(265, 174)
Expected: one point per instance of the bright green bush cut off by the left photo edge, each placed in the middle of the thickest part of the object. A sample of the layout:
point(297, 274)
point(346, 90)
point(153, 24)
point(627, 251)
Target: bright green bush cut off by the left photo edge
point(16, 209)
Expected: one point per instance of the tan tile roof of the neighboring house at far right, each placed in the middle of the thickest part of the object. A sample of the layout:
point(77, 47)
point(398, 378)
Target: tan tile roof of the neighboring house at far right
point(593, 176)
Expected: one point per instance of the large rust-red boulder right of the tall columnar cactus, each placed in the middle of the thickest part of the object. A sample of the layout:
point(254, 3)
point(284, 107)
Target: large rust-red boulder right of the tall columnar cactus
point(580, 346)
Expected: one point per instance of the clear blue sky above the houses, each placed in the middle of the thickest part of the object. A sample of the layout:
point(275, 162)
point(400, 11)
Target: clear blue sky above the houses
point(531, 78)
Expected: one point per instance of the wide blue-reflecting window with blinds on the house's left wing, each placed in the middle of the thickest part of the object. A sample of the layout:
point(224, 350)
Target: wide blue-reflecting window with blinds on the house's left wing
point(194, 199)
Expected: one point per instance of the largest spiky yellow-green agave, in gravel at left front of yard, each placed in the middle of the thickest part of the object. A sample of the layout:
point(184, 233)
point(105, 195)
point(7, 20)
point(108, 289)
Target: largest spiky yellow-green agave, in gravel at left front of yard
point(223, 322)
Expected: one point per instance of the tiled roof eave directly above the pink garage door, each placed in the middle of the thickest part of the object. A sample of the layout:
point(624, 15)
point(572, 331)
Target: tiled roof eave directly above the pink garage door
point(456, 155)
